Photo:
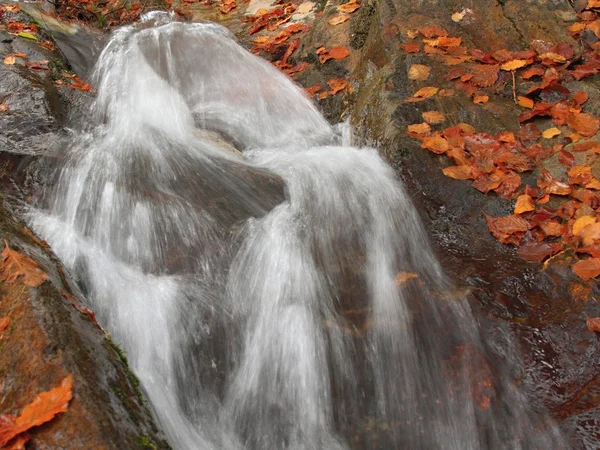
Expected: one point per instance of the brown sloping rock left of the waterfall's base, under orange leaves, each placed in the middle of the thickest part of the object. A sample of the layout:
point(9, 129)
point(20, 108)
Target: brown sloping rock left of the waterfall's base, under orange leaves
point(49, 337)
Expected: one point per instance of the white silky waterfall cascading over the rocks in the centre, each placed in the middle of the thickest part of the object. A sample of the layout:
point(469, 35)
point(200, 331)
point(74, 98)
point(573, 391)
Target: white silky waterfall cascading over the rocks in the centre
point(271, 284)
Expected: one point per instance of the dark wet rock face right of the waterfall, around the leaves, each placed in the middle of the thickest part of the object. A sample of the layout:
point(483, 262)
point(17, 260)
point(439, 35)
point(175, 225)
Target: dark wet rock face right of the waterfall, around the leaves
point(538, 304)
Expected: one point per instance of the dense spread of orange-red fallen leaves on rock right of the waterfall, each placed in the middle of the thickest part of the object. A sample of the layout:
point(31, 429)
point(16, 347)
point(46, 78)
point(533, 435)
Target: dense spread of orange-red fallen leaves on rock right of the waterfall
point(494, 163)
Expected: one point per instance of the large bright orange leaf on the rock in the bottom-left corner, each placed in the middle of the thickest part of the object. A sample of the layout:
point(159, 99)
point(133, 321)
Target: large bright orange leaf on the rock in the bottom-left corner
point(42, 409)
